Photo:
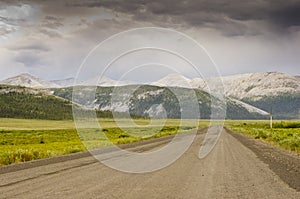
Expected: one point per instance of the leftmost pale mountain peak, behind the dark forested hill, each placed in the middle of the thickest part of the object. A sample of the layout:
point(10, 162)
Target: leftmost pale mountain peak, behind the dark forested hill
point(28, 80)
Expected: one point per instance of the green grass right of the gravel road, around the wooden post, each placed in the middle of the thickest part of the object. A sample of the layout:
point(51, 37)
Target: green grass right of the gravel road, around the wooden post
point(284, 134)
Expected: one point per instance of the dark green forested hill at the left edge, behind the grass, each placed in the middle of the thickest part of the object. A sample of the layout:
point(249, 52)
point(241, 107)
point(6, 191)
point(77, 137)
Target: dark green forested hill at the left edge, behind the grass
point(21, 102)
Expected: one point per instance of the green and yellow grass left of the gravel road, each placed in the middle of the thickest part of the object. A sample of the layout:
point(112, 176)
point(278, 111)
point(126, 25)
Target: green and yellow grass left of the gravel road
point(24, 140)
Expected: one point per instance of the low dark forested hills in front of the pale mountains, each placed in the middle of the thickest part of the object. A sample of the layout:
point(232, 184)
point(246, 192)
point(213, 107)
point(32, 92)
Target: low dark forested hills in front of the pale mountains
point(147, 101)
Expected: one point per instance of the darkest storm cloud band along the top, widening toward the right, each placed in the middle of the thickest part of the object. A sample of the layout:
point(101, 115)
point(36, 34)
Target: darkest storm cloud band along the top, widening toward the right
point(278, 14)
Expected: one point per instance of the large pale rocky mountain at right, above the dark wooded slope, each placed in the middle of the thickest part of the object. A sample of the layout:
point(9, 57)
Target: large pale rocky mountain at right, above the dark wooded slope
point(253, 85)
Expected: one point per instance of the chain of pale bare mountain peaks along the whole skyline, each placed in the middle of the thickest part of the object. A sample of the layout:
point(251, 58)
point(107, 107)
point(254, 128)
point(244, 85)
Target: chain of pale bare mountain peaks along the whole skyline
point(245, 86)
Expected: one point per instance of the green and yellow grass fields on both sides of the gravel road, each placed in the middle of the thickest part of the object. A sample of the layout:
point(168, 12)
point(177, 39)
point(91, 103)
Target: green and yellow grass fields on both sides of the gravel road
point(24, 140)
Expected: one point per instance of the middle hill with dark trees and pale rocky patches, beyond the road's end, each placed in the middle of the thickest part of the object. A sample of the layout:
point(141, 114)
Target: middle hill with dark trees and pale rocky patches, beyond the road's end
point(156, 101)
